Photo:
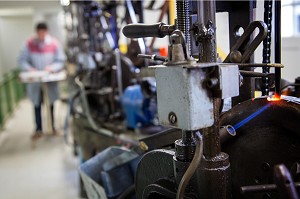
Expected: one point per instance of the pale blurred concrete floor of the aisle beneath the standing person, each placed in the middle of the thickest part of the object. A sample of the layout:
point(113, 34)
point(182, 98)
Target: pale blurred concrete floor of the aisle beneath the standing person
point(48, 171)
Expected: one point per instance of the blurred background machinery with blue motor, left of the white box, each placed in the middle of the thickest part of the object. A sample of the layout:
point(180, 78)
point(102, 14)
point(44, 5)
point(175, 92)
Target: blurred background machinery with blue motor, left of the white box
point(112, 103)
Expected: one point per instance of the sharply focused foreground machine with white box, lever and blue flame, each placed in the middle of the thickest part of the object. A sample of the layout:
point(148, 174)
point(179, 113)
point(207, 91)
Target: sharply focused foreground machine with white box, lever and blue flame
point(251, 151)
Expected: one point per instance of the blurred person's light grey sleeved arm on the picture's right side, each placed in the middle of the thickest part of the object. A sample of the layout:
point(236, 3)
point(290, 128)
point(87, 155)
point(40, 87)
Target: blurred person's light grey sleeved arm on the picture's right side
point(59, 60)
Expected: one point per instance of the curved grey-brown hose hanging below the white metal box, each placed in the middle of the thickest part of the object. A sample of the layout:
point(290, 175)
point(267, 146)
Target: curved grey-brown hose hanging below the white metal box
point(192, 168)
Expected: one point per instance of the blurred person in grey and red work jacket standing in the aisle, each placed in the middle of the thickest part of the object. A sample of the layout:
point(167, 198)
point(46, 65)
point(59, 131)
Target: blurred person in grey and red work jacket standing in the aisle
point(42, 52)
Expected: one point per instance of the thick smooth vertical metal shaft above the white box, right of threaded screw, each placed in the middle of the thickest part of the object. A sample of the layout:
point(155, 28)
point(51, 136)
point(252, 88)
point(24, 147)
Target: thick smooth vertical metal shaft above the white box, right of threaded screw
point(207, 19)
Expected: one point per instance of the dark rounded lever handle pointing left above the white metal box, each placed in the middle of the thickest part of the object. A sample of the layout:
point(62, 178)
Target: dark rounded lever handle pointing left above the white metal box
point(142, 30)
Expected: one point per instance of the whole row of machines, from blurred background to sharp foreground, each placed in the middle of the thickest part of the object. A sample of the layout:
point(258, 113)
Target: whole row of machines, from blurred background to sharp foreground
point(153, 126)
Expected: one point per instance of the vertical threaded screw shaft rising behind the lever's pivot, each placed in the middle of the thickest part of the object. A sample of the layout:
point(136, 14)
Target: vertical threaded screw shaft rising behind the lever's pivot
point(183, 20)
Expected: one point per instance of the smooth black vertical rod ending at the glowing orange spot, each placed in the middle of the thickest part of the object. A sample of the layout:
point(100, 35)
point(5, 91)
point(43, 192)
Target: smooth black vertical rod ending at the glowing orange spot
point(277, 28)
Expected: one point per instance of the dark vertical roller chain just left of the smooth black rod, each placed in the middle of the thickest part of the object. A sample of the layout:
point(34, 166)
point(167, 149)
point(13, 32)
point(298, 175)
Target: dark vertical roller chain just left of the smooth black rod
point(267, 45)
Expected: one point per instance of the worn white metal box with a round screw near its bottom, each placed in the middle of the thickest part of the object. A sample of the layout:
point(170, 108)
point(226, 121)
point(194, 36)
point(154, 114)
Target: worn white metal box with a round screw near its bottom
point(183, 101)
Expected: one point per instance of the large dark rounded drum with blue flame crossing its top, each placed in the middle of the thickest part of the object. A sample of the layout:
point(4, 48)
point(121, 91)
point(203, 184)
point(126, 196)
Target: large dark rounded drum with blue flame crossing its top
point(257, 138)
